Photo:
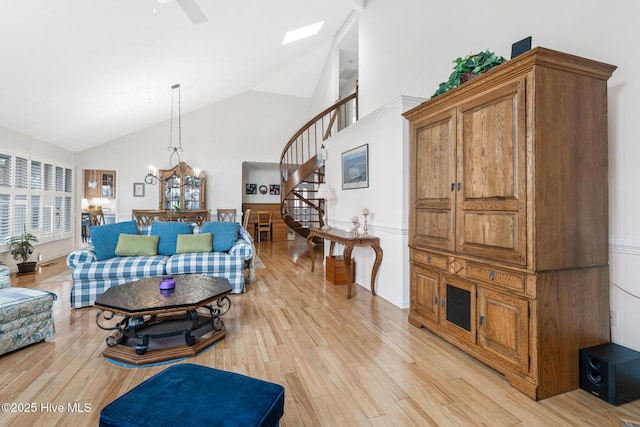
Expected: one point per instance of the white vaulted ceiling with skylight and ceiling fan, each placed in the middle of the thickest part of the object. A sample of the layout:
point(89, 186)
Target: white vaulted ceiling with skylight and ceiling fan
point(77, 73)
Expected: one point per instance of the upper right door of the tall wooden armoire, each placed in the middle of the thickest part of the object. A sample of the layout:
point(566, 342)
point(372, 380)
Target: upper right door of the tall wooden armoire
point(491, 200)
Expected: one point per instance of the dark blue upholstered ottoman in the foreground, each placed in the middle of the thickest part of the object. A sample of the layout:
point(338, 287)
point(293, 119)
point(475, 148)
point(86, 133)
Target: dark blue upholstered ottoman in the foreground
point(192, 395)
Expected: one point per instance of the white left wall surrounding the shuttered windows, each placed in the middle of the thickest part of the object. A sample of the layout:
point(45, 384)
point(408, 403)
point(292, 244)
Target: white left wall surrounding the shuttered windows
point(21, 144)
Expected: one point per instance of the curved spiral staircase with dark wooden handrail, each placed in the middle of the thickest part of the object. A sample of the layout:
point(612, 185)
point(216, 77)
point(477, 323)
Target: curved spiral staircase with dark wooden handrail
point(302, 165)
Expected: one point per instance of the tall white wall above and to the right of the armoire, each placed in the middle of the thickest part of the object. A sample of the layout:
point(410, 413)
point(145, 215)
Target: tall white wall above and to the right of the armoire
point(407, 48)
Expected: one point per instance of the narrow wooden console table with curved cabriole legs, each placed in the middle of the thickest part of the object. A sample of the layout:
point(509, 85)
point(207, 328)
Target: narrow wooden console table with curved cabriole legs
point(347, 239)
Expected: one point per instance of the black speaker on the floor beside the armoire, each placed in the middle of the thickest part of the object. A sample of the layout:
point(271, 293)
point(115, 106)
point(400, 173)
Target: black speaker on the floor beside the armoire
point(611, 372)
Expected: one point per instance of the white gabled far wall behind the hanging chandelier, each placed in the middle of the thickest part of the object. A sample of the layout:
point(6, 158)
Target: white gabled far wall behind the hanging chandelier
point(252, 127)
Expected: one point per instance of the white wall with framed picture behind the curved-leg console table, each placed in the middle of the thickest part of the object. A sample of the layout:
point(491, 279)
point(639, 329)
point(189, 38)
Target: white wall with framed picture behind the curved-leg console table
point(386, 134)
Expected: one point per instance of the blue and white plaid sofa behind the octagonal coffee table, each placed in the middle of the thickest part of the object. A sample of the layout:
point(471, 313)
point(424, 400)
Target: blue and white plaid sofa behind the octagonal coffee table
point(93, 276)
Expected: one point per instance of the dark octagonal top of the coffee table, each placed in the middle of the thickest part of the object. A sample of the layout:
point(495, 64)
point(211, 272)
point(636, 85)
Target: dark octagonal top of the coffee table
point(191, 290)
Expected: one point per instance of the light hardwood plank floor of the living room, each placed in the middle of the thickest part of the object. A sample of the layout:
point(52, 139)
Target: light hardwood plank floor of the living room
point(342, 362)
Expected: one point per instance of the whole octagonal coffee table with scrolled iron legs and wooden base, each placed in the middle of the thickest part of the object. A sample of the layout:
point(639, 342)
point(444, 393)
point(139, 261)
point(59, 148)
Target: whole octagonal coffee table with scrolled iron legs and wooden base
point(152, 325)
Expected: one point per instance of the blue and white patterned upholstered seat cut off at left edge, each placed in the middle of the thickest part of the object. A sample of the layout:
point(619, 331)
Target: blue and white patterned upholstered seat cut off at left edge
point(25, 314)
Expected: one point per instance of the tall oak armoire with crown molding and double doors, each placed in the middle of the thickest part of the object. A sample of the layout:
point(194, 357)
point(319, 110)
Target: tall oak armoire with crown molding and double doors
point(508, 223)
